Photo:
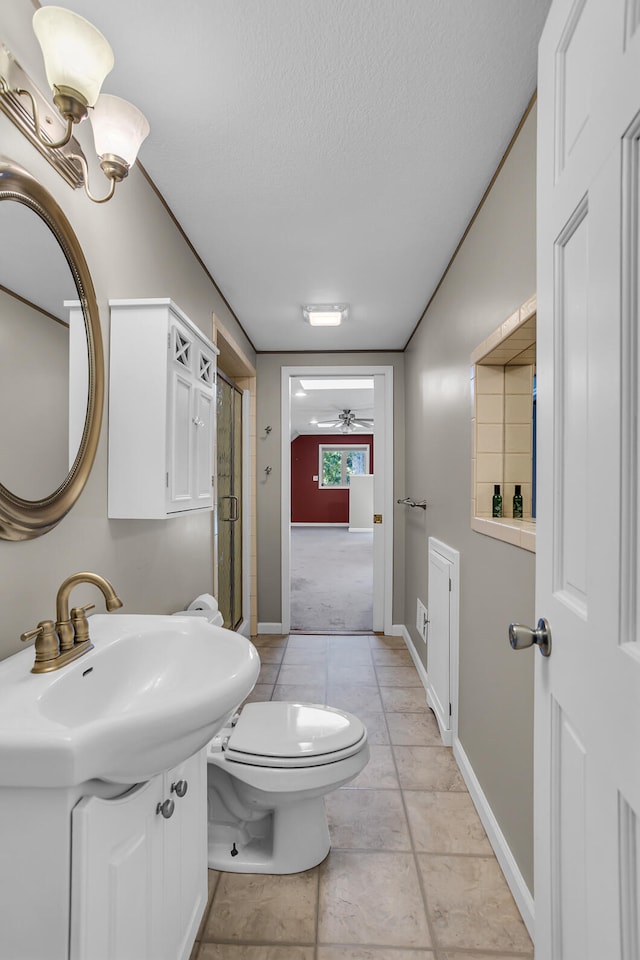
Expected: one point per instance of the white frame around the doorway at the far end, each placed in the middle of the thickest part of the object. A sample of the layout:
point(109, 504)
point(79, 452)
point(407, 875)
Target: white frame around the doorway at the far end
point(382, 441)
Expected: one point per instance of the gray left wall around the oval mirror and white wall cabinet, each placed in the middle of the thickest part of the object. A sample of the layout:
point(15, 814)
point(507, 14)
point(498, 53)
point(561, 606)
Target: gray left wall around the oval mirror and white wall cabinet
point(133, 249)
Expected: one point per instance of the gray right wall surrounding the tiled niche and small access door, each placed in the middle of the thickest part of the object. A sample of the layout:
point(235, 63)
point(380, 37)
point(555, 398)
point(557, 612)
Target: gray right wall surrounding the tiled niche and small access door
point(494, 272)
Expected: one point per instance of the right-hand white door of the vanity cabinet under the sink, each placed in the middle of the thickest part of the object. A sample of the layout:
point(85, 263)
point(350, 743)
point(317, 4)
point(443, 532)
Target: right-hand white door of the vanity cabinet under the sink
point(185, 856)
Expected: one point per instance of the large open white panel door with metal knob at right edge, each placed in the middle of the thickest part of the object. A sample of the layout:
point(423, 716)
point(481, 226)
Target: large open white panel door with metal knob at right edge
point(587, 702)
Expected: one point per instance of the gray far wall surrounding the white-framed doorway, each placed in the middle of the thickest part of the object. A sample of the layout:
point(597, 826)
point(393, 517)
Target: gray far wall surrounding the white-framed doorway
point(269, 367)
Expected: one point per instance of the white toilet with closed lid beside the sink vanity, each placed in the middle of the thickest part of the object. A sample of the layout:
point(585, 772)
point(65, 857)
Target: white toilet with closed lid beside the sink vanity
point(268, 772)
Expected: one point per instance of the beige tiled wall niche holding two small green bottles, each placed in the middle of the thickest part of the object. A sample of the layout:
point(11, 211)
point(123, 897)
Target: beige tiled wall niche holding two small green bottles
point(502, 371)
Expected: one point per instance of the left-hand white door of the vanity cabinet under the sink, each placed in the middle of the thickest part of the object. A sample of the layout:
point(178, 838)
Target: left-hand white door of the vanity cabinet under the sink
point(116, 877)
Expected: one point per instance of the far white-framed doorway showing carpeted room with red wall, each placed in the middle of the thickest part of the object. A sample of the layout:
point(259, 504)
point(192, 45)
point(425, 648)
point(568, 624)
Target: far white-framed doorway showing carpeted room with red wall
point(313, 551)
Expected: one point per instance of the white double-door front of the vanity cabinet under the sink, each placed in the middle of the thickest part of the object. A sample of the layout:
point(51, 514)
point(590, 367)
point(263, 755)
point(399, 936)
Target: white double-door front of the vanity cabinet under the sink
point(139, 869)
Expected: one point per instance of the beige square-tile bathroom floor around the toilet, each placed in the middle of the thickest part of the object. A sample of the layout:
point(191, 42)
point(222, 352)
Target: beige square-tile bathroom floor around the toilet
point(410, 875)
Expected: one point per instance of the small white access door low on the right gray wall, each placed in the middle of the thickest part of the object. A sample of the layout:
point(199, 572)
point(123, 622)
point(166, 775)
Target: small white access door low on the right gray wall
point(439, 640)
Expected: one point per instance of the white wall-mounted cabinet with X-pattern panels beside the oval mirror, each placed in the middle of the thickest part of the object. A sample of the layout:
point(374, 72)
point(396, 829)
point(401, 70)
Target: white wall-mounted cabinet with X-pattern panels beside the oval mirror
point(161, 411)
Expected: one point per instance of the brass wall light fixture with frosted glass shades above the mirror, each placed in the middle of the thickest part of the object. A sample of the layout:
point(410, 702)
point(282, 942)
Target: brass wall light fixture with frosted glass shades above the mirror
point(77, 58)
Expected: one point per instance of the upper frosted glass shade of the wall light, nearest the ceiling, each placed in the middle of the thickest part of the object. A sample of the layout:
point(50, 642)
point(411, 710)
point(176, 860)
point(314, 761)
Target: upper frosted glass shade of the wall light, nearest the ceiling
point(75, 53)
